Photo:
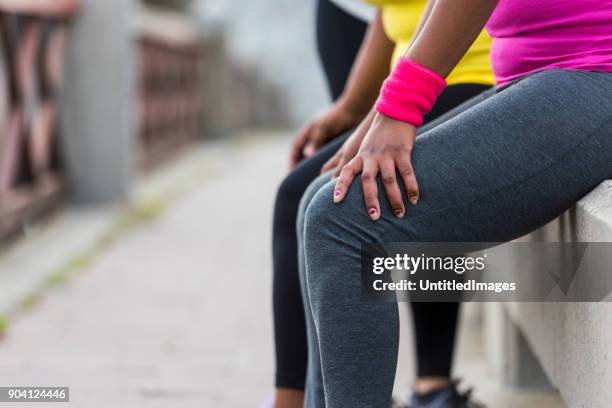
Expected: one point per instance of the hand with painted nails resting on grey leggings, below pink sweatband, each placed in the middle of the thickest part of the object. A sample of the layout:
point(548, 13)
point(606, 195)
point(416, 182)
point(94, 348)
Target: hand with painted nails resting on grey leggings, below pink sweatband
point(386, 149)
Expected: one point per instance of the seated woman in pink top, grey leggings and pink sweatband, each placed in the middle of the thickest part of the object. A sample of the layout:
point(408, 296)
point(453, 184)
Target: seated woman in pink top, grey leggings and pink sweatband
point(489, 171)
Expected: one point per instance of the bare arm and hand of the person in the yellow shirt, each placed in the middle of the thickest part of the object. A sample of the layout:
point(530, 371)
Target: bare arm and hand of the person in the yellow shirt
point(370, 69)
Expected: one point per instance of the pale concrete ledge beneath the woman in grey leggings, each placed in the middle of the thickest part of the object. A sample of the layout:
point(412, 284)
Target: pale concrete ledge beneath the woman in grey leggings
point(571, 343)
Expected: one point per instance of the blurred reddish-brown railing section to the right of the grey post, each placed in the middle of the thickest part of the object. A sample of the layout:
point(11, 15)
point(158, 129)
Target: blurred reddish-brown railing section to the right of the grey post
point(170, 85)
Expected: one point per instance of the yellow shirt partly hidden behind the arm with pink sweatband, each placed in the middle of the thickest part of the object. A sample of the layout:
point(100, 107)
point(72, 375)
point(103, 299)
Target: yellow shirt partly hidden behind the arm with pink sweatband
point(400, 20)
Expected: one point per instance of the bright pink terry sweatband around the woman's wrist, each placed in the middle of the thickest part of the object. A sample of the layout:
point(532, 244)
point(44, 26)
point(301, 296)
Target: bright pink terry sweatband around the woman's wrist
point(409, 92)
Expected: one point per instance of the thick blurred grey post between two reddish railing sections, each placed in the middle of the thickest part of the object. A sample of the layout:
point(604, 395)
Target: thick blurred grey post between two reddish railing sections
point(98, 108)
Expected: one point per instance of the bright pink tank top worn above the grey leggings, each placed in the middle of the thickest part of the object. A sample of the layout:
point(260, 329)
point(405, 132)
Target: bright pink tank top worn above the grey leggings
point(534, 35)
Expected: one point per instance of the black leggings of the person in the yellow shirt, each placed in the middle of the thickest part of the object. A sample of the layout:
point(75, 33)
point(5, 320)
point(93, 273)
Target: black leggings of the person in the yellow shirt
point(434, 323)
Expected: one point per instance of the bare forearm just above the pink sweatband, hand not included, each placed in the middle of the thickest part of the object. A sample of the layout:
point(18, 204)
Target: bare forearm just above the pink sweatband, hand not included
point(448, 32)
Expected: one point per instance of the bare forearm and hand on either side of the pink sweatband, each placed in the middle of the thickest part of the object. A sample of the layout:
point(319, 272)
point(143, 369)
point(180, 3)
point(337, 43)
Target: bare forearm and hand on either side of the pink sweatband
point(448, 32)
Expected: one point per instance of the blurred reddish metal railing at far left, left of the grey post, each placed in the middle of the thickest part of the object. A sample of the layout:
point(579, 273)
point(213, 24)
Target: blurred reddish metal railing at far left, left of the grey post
point(32, 41)
